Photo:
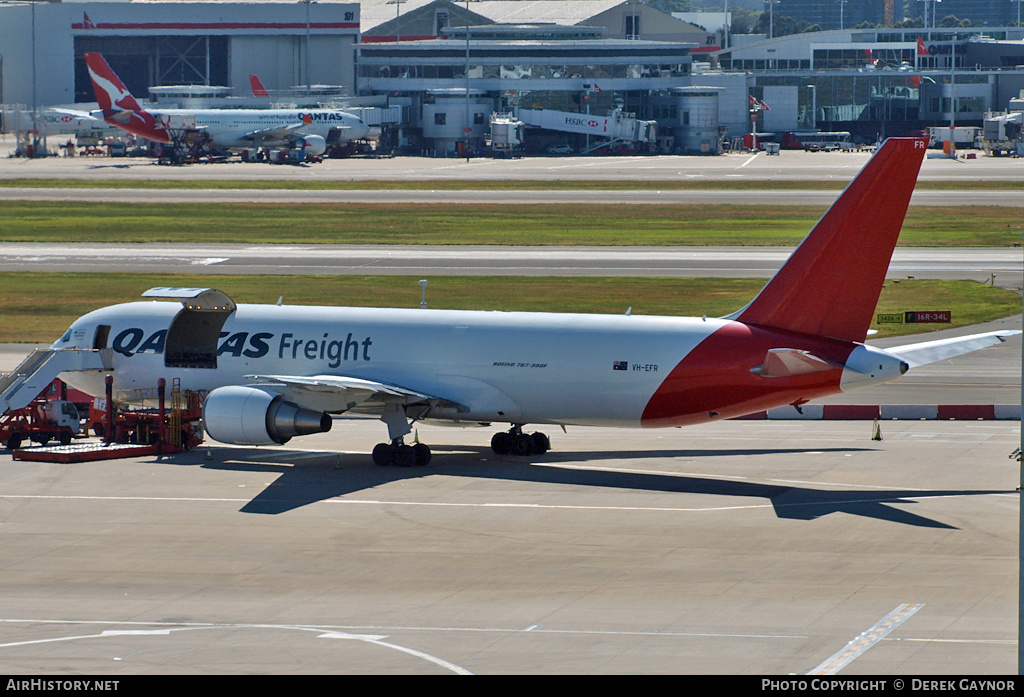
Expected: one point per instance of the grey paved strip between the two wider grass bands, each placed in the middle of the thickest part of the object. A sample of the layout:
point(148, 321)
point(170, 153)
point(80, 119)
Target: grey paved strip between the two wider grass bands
point(1002, 267)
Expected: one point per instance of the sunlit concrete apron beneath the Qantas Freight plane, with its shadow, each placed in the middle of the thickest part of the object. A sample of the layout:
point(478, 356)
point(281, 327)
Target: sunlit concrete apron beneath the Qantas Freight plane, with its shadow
point(743, 548)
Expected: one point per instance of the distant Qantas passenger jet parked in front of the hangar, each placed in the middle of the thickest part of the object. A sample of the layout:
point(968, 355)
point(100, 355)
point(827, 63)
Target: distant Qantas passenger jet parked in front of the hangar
point(232, 128)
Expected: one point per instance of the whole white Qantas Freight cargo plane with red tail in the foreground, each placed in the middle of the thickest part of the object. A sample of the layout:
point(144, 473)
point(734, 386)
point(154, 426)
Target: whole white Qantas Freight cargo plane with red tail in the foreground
point(275, 372)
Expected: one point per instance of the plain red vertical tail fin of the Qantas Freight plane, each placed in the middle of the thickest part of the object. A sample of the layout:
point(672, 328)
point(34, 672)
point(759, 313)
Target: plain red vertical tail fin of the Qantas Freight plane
point(831, 285)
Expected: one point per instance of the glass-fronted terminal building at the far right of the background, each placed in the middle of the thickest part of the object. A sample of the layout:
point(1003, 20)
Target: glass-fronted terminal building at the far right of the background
point(878, 82)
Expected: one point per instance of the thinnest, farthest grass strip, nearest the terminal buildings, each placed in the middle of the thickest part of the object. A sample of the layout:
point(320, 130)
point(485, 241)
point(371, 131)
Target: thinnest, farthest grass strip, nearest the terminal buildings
point(489, 185)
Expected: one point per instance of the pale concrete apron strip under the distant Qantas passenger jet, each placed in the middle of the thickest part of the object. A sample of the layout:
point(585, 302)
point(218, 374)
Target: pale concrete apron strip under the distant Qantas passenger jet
point(789, 165)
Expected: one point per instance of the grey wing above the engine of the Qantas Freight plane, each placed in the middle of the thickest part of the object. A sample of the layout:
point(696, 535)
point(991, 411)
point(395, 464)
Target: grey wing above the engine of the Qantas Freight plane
point(338, 394)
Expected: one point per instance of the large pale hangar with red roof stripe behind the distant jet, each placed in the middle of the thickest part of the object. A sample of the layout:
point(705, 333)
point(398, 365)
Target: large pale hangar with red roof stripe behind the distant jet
point(173, 43)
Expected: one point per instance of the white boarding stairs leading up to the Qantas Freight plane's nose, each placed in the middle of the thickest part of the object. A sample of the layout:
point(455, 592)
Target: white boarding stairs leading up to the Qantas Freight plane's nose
point(39, 370)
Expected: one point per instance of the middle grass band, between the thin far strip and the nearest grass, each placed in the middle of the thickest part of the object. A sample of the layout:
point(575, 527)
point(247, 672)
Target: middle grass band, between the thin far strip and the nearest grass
point(477, 225)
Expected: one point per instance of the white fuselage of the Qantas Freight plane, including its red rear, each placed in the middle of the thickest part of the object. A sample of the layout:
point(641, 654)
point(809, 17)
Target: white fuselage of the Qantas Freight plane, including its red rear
point(498, 367)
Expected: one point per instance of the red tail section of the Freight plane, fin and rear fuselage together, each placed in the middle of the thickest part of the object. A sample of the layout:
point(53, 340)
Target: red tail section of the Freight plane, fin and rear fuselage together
point(801, 338)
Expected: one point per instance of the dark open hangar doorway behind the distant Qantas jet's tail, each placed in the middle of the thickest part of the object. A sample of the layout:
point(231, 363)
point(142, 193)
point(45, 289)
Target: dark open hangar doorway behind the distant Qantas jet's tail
point(149, 62)
